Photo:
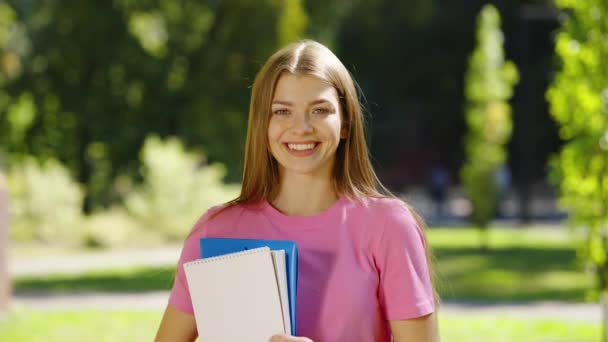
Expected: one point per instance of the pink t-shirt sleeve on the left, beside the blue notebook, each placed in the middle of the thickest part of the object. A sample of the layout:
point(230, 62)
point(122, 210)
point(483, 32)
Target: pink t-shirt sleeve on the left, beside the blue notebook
point(179, 297)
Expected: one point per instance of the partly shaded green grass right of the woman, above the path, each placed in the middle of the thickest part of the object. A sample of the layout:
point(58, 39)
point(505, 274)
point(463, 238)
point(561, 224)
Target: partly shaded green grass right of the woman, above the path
point(520, 265)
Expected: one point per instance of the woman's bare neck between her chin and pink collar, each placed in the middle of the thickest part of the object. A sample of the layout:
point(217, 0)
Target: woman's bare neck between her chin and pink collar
point(305, 196)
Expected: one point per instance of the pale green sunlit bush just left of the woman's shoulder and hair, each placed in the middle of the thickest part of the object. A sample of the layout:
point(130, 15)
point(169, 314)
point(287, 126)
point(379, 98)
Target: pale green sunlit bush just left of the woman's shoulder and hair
point(168, 206)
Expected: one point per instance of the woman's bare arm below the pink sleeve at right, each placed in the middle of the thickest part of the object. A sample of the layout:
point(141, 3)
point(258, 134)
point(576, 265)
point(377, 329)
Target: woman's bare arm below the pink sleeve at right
point(421, 329)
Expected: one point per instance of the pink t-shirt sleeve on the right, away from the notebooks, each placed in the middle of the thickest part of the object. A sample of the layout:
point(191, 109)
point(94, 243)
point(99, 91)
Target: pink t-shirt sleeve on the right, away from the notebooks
point(405, 285)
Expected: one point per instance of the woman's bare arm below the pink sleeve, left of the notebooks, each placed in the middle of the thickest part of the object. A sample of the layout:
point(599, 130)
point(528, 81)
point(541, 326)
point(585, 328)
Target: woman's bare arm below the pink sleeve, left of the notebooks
point(176, 326)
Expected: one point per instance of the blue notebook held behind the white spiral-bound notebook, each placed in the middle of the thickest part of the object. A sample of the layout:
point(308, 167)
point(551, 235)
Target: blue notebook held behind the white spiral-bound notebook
point(211, 247)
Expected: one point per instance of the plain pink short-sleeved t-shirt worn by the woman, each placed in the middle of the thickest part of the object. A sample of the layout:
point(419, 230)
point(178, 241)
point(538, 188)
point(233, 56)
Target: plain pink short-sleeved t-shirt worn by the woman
point(361, 263)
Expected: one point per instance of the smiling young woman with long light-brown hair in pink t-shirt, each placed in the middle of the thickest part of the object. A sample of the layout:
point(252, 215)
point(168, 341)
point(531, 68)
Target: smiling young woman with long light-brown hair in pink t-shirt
point(363, 263)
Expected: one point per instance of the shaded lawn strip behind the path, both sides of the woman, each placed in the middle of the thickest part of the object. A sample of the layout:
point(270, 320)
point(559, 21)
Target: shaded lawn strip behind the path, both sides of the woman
point(520, 265)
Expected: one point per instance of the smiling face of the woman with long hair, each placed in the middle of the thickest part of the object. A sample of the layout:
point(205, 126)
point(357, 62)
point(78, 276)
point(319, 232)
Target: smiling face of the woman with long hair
point(305, 125)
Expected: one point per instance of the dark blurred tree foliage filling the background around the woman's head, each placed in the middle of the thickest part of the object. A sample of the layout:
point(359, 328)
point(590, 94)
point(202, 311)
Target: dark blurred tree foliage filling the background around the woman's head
point(86, 83)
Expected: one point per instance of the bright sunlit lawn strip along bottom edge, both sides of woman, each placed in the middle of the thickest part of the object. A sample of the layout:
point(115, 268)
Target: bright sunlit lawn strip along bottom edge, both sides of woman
point(100, 326)
